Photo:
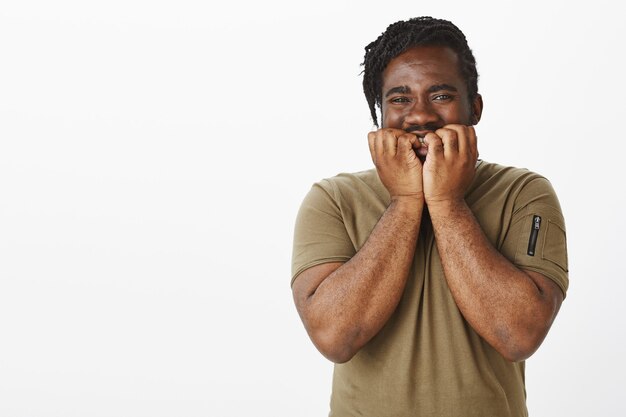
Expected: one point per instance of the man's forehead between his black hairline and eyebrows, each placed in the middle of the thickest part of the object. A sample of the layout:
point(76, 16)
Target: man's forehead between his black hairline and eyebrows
point(423, 65)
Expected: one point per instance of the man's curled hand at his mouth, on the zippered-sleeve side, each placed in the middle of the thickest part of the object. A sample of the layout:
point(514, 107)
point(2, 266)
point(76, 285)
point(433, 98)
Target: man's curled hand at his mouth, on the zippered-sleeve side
point(450, 164)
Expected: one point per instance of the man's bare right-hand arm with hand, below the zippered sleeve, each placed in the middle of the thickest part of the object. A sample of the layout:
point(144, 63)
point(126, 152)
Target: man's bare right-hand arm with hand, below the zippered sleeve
point(510, 308)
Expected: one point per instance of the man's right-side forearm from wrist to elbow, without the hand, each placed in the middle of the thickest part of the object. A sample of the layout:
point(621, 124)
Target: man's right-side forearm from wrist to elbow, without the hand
point(501, 302)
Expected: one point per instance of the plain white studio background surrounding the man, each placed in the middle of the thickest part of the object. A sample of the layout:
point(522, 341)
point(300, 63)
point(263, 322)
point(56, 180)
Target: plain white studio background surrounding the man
point(153, 155)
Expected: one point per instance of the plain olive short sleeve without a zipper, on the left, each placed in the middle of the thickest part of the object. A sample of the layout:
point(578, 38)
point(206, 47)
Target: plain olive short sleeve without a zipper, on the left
point(320, 235)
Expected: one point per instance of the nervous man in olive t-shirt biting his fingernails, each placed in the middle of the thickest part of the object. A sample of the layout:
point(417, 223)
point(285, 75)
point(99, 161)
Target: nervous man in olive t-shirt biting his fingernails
point(431, 278)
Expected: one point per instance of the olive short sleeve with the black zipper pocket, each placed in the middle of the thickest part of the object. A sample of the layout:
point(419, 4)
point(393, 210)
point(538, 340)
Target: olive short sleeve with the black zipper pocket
point(536, 240)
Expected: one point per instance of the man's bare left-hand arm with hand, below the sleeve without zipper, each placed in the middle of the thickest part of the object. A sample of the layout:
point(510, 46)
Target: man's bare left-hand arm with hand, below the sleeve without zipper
point(343, 306)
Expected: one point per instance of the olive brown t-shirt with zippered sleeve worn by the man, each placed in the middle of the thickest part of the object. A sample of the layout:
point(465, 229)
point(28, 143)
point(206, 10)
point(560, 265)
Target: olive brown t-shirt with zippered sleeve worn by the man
point(427, 360)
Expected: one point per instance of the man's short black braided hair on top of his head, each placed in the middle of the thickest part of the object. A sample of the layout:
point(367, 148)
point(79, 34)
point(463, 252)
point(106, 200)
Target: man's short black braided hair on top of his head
point(402, 35)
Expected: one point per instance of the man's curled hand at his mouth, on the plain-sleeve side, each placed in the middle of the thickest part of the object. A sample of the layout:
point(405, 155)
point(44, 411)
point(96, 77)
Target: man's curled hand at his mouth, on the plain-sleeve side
point(397, 164)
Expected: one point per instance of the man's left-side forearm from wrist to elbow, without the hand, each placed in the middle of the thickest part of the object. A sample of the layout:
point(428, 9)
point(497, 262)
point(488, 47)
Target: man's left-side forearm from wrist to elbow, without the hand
point(353, 303)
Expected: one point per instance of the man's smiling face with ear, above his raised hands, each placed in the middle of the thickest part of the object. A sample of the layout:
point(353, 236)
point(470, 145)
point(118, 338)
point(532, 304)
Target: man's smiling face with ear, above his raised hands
point(424, 91)
